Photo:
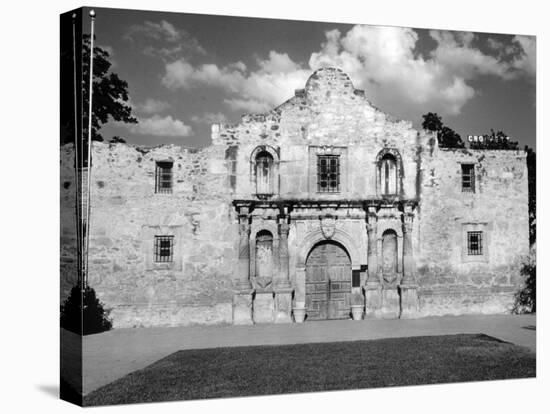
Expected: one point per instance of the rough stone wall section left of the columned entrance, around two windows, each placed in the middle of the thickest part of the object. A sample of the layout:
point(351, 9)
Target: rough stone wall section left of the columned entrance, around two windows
point(127, 214)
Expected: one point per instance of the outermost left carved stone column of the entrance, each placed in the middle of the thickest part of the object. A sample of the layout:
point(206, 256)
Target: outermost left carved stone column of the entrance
point(242, 298)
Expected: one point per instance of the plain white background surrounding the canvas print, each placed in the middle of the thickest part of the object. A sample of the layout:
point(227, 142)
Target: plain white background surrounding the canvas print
point(30, 203)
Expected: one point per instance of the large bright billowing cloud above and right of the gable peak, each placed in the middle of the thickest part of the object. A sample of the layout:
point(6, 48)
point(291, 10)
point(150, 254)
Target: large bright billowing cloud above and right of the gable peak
point(382, 60)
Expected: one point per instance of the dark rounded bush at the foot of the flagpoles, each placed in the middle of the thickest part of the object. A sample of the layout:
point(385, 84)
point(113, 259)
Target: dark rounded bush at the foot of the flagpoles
point(83, 313)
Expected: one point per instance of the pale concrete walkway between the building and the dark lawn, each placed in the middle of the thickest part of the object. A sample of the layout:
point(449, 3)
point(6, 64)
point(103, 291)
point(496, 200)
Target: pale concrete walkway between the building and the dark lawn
point(111, 355)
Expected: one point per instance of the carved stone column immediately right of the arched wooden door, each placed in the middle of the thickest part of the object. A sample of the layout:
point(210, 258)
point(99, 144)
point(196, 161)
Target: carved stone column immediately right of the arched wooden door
point(372, 287)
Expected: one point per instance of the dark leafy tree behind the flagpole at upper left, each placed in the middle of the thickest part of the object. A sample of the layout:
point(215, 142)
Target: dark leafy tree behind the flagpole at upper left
point(110, 93)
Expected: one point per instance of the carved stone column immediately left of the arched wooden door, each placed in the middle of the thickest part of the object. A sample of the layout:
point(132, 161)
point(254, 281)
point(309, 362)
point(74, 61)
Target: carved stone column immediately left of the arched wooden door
point(281, 286)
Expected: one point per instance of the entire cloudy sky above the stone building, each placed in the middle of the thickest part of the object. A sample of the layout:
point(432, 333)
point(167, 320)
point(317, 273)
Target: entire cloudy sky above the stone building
point(186, 71)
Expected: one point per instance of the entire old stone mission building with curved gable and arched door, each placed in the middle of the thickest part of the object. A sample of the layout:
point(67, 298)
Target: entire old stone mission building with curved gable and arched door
point(322, 208)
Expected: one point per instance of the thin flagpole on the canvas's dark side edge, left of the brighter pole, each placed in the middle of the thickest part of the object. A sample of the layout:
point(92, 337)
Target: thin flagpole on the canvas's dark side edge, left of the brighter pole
point(77, 165)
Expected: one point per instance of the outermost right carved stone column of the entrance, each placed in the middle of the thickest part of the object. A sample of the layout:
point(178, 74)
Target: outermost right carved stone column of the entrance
point(409, 295)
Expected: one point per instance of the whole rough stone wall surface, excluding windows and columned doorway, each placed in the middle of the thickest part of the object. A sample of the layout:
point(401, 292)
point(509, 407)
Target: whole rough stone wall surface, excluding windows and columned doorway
point(329, 113)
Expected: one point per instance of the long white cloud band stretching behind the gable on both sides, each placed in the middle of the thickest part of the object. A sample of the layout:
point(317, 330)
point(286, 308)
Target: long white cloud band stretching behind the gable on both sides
point(382, 60)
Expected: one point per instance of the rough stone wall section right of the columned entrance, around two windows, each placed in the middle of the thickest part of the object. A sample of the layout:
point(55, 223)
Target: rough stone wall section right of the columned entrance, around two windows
point(450, 282)
